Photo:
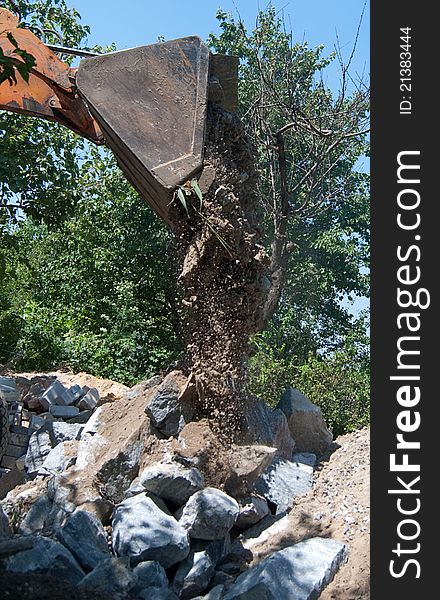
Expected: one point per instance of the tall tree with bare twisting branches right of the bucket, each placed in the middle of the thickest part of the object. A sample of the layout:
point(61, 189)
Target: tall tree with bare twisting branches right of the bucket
point(307, 141)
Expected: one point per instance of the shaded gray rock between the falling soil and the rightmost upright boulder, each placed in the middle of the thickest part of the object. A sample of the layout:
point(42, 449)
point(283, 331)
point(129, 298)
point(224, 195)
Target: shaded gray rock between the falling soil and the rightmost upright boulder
point(267, 427)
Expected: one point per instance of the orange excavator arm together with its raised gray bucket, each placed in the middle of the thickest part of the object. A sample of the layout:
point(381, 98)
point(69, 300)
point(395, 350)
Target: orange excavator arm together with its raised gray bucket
point(147, 104)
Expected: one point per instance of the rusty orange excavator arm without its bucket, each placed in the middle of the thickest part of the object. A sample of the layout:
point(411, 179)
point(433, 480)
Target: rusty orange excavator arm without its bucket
point(50, 92)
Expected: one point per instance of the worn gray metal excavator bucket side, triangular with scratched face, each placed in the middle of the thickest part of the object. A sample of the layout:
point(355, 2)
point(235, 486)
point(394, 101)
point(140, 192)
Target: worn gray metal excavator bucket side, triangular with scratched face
point(151, 104)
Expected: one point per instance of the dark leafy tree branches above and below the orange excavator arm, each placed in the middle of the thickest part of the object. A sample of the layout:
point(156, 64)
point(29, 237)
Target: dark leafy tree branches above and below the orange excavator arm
point(39, 160)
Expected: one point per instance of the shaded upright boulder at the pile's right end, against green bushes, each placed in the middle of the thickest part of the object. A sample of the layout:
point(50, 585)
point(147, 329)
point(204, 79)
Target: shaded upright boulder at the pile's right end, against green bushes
point(305, 422)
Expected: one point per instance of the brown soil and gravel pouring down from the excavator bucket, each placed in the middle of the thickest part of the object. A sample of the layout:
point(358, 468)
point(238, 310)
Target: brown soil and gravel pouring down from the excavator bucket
point(223, 272)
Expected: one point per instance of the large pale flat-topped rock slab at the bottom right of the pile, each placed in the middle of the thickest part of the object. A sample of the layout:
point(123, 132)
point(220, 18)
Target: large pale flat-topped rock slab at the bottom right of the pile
point(300, 572)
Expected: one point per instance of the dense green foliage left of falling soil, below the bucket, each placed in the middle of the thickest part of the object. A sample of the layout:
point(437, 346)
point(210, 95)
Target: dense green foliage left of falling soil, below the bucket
point(93, 293)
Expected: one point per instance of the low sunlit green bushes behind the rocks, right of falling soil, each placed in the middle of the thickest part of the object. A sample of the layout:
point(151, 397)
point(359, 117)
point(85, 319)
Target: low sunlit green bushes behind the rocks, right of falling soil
point(339, 382)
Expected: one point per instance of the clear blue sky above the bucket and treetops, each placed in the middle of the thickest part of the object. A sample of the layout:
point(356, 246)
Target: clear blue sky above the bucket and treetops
point(138, 22)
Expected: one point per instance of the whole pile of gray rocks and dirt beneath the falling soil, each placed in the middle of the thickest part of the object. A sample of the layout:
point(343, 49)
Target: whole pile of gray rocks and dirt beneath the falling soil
point(130, 502)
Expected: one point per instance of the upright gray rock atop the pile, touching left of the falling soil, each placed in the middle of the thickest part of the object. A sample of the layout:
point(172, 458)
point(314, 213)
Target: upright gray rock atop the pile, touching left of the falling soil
point(166, 410)
